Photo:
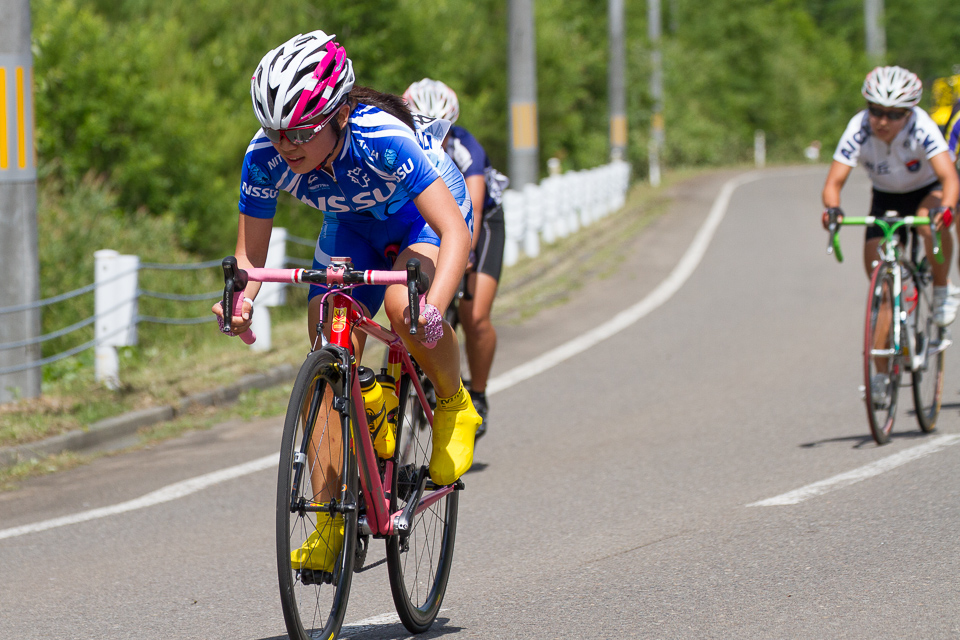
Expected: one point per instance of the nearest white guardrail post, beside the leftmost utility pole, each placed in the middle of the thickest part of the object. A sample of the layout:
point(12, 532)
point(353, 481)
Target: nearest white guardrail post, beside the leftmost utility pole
point(115, 304)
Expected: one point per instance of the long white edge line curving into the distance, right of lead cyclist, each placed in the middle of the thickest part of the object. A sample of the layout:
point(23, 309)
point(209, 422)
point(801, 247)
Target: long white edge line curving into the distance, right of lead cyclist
point(664, 291)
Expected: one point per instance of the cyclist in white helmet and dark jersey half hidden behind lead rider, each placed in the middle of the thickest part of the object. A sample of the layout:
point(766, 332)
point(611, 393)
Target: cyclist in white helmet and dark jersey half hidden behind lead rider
point(435, 99)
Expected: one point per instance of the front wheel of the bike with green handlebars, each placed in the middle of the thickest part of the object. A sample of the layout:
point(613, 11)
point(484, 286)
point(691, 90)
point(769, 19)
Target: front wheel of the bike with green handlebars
point(881, 365)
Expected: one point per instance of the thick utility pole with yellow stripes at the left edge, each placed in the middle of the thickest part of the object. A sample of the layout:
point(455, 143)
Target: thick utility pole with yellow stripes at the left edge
point(19, 263)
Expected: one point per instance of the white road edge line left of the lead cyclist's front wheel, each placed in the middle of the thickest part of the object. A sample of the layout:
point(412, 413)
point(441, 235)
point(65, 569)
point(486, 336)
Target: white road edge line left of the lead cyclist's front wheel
point(166, 494)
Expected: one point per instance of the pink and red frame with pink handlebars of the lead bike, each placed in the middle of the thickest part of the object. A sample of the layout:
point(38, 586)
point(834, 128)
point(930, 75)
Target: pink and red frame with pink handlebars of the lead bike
point(346, 315)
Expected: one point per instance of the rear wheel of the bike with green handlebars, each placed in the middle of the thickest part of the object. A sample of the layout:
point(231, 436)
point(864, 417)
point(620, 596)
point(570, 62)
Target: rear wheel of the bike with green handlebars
point(927, 356)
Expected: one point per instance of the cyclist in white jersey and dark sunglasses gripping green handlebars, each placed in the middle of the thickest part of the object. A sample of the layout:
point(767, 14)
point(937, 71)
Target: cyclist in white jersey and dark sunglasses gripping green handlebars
point(910, 166)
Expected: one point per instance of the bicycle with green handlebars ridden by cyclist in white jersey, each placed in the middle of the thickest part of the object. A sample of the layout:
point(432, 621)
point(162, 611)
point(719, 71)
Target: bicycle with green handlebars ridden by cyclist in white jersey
point(900, 331)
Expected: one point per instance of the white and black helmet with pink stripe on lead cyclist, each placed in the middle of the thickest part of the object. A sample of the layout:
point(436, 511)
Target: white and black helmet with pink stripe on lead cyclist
point(306, 76)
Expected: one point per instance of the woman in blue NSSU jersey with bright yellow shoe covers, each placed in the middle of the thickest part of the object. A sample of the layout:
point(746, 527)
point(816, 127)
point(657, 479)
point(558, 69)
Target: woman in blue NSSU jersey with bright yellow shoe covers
point(380, 179)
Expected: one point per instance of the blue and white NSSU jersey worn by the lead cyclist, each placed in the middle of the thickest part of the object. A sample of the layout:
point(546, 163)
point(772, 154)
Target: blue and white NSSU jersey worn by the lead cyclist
point(382, 166)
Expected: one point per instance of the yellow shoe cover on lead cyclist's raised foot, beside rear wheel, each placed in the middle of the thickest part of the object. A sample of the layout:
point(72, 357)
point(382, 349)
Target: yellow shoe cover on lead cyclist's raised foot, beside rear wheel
point(455, 425)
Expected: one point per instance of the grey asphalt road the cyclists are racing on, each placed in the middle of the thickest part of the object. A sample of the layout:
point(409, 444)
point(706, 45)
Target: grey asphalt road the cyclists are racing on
point(610, 496)
